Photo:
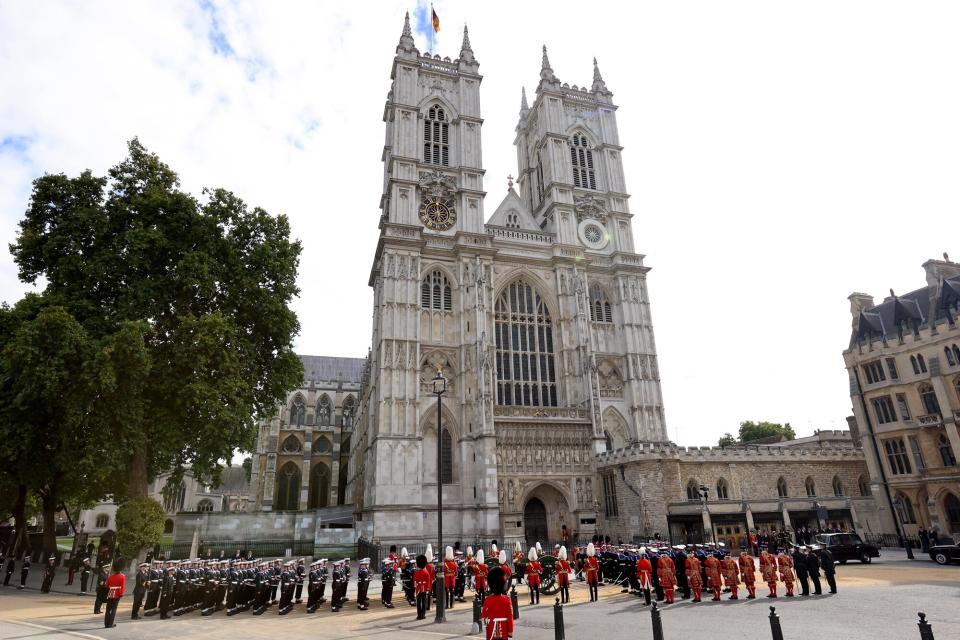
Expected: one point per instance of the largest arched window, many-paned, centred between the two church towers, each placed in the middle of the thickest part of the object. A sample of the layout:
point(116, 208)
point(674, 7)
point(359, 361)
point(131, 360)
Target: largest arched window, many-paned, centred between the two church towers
point(524, 335)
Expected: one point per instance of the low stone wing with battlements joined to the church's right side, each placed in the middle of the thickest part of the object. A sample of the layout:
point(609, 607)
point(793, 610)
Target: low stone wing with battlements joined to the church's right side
point(651, 489)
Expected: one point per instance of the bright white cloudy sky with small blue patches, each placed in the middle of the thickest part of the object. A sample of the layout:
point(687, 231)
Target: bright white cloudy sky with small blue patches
point(779, 155)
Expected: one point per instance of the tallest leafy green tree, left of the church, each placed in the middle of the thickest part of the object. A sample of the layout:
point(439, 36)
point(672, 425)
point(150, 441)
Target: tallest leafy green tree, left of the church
point(204, 286)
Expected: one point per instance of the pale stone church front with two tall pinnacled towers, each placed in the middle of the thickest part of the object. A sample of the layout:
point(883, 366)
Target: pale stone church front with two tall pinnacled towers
point(538, 315)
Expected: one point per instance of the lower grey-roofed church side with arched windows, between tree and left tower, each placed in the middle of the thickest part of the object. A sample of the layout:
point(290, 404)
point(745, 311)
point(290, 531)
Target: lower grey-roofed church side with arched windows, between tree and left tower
point(301, 455)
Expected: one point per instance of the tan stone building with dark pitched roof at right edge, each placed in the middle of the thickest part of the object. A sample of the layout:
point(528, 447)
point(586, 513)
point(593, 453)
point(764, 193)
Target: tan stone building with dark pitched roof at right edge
point(904, 367)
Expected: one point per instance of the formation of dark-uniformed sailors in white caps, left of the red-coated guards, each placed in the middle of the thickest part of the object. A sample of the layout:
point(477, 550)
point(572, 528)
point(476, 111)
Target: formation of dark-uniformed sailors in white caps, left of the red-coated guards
point(180, 587)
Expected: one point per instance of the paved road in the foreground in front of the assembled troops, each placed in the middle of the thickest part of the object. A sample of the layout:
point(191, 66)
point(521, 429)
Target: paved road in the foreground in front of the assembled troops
point(877, 601)
